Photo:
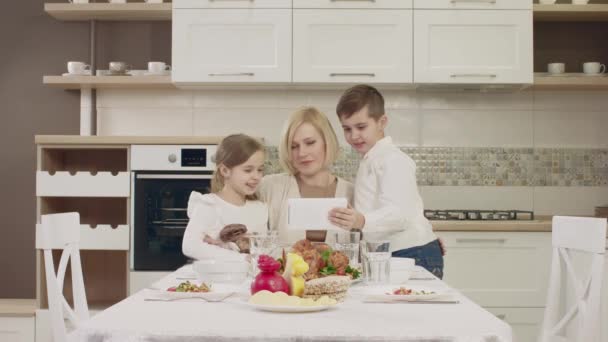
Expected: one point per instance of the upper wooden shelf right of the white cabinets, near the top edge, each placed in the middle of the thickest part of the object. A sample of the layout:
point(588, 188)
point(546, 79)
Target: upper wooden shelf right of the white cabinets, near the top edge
point(565, 12)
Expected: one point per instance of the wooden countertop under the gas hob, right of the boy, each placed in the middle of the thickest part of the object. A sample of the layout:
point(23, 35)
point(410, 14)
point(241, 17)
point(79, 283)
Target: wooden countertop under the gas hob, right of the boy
point(540, 224)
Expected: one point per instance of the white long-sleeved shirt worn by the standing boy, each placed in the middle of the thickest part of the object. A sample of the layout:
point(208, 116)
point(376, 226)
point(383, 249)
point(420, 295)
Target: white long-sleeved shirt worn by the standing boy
point(387, 195)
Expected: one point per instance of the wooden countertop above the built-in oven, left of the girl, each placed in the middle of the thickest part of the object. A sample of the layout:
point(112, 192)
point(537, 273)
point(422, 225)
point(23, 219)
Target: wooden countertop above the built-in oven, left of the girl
point(124, 140)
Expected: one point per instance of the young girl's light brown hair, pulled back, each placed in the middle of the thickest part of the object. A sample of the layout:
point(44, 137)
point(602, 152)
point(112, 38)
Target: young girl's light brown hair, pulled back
point(234, 150)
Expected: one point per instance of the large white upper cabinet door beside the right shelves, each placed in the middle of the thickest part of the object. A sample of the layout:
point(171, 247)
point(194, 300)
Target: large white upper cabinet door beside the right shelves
point(473, 47)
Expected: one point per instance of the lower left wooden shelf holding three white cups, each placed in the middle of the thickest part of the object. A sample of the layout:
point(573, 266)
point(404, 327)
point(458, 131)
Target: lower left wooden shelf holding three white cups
point(79, 82)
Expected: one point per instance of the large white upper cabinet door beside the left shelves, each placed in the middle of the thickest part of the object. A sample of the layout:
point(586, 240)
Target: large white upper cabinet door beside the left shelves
point(231, 45)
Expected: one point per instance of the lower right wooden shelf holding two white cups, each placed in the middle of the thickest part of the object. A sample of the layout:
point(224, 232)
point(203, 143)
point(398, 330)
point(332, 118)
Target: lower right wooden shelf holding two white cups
point(570, 82)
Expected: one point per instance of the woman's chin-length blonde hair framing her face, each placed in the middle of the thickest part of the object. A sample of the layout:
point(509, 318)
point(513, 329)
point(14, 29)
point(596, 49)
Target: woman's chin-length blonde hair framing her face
point(321, 123)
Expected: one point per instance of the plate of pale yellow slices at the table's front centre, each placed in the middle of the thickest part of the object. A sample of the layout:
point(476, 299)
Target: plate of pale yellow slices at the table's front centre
point(282, 302)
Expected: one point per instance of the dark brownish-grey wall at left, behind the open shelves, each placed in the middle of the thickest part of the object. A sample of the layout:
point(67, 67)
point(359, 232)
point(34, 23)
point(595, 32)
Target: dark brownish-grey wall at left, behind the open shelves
point(35, 44)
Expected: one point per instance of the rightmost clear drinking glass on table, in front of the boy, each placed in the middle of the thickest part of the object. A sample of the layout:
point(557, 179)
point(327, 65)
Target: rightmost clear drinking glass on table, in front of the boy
point(376, 256)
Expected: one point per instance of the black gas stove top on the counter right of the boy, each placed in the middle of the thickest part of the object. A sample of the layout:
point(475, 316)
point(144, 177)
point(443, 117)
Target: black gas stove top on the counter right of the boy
point(478, 215)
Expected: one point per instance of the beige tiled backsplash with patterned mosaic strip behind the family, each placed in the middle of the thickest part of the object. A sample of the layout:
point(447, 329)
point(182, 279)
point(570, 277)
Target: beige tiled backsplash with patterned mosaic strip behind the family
point(532, 150)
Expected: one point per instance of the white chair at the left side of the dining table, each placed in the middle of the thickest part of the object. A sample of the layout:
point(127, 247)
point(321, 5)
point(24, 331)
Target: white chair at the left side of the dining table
point(62, 231)
